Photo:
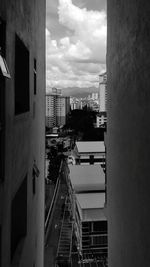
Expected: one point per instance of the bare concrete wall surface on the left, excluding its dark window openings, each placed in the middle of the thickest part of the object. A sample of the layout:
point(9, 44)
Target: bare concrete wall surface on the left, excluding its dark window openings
point(24, 133)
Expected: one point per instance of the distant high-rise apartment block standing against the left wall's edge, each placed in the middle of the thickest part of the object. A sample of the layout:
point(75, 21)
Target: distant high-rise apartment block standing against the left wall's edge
point(57, 109)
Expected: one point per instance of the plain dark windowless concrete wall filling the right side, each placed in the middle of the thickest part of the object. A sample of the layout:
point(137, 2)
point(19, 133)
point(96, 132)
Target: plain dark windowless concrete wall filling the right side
point(128, 140)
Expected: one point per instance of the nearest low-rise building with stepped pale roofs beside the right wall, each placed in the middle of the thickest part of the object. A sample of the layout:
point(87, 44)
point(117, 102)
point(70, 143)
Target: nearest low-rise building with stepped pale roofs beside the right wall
point(88, 191)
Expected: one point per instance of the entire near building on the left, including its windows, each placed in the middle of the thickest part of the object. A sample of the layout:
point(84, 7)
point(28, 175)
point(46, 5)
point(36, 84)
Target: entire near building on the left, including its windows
point(22, 108)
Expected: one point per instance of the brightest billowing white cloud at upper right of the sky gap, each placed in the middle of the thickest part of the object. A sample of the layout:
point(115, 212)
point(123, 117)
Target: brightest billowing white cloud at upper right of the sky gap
point(89, 29)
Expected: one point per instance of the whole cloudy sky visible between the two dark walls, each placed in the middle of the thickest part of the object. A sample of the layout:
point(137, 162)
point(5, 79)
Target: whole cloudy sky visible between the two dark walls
point(75, 44)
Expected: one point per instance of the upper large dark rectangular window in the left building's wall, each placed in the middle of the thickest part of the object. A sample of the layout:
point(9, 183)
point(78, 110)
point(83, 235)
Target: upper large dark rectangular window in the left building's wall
point(21, 77)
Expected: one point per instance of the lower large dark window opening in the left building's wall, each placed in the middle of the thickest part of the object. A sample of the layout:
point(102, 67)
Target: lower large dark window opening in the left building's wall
point(19, 217)
